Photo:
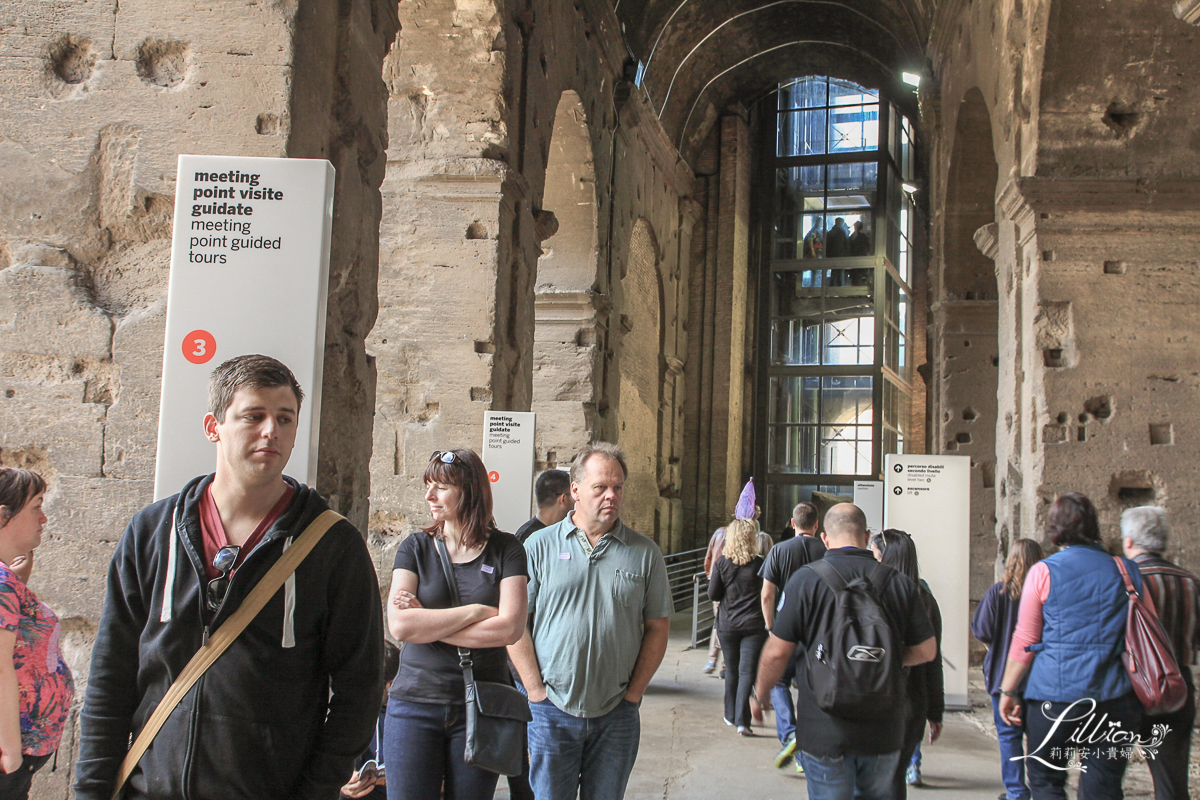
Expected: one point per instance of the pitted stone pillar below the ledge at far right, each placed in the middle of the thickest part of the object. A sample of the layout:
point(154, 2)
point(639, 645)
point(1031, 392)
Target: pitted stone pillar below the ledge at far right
point(1109, 344)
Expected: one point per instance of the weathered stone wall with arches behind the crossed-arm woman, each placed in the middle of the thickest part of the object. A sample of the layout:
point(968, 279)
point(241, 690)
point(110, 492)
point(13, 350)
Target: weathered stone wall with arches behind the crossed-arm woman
point(477, 98)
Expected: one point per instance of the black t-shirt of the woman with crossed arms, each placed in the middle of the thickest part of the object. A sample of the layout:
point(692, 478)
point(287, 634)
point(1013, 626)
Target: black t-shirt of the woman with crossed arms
point(430, 673)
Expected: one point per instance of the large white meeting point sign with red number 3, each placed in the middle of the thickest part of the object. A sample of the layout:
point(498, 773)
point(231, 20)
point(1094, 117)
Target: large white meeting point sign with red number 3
point(249, 274)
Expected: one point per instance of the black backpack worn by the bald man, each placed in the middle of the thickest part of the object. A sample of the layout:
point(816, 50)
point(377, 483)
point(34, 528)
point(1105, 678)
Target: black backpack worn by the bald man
point(856, 664)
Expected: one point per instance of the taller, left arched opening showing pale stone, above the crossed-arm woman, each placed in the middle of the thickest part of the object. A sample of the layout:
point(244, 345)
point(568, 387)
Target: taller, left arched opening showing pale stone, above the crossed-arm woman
point(566, 335)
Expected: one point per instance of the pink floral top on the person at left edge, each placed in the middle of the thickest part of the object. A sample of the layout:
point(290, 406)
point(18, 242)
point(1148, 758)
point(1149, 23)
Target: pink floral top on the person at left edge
point(45, 681)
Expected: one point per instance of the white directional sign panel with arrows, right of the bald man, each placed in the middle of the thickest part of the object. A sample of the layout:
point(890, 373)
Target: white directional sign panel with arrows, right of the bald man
point(929, 497)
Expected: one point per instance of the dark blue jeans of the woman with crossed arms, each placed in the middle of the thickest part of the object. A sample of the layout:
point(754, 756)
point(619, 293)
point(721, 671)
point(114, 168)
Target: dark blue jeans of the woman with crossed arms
point(423, 745)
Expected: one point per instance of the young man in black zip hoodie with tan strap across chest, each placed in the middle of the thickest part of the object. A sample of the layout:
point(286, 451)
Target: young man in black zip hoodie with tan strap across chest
point(285, 712)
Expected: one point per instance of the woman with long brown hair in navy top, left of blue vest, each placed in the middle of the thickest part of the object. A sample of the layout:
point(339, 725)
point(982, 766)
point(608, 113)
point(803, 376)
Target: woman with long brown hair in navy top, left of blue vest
point(994, 623)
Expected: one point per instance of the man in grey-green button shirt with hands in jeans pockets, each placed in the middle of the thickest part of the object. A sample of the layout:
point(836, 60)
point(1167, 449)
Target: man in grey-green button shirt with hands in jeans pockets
point(601, 612)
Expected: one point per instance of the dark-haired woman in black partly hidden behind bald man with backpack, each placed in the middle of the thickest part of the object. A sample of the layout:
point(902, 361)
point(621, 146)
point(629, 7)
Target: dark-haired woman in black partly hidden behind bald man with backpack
point(926, 697)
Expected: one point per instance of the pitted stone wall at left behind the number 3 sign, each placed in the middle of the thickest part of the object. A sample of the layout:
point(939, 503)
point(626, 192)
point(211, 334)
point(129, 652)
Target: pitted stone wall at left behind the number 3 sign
point(99, 100)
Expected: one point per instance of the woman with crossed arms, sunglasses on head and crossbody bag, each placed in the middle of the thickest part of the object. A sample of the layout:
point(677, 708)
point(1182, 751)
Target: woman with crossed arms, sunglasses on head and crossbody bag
point(425, 735)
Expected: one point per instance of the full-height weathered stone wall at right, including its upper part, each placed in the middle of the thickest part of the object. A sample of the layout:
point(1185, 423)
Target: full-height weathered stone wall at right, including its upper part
point(1095, 219)
